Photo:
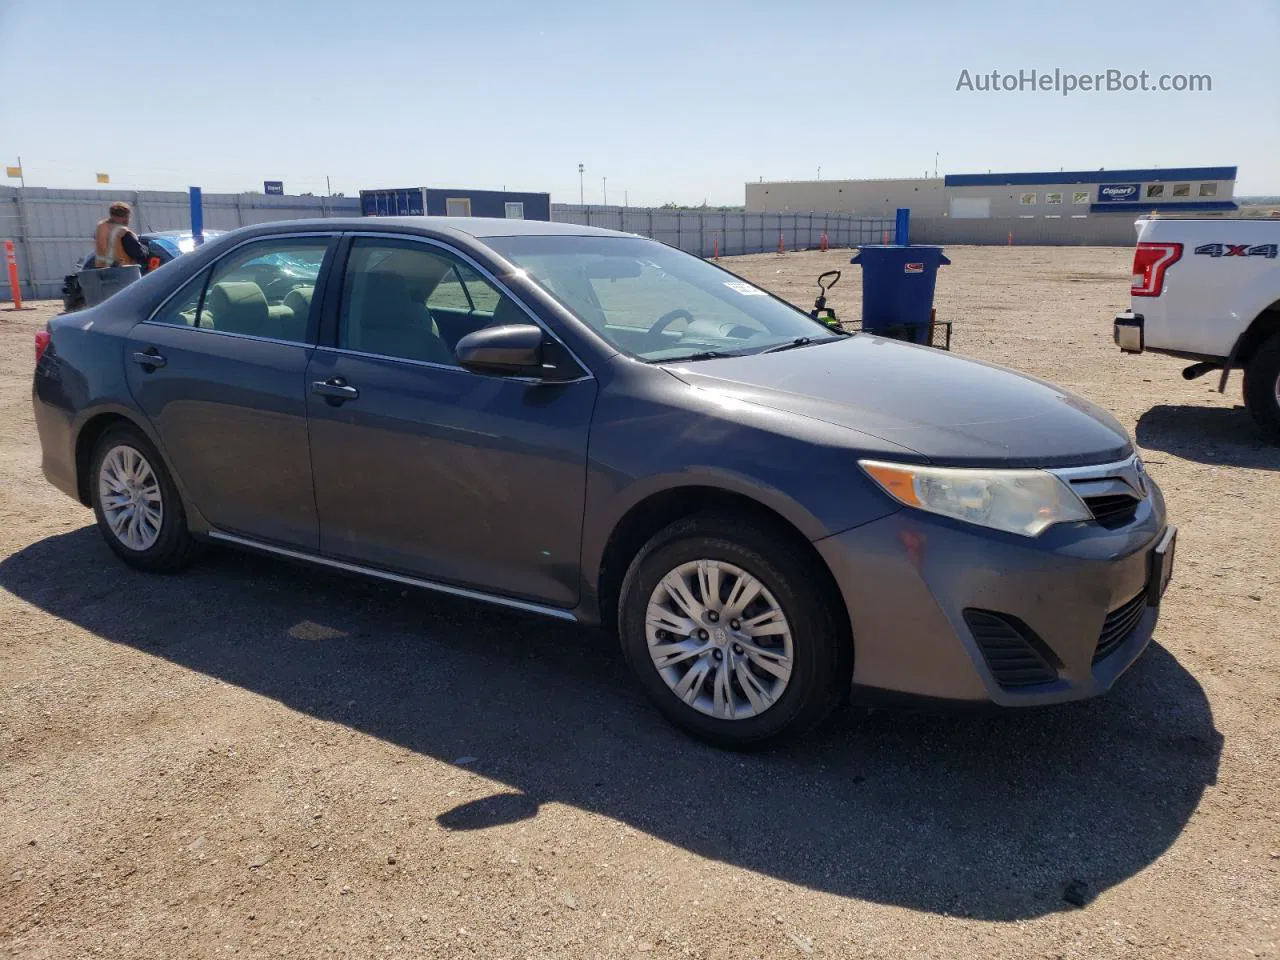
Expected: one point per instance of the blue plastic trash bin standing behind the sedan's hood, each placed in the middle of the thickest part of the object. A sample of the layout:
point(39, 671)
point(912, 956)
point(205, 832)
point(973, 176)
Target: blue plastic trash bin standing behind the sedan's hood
point(898, 289)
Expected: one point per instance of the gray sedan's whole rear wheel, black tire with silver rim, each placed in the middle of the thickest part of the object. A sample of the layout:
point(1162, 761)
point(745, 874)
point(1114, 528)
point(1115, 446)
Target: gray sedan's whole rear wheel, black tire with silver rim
point(136, 504)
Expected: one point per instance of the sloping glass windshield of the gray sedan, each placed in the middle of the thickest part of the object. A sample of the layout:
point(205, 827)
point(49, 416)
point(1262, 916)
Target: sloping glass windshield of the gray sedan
point(655, 301)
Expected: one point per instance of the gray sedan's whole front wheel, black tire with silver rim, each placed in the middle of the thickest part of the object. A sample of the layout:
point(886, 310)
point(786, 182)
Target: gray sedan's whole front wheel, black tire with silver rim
point(730, 630)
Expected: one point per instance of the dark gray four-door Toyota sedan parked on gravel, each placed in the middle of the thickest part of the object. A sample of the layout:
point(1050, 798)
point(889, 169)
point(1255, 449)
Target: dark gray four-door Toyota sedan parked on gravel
point(595, 427)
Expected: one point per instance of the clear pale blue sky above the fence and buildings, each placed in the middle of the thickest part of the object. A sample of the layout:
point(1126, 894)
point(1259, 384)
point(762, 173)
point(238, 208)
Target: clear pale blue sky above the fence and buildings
point(673, 102)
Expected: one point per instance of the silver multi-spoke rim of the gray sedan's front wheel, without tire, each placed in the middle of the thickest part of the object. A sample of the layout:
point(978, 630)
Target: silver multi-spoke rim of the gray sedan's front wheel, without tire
point(720, 639)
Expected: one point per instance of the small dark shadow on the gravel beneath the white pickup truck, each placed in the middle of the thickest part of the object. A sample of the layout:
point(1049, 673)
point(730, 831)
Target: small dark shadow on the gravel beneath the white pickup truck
point(1208, 436)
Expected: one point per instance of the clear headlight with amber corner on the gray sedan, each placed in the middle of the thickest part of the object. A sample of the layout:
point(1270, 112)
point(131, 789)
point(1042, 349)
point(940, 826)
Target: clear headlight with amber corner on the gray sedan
point(1020, 501)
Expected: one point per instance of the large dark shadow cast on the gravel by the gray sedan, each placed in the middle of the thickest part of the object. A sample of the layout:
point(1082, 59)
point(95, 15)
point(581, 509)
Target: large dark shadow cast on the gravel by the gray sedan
point(994, 816)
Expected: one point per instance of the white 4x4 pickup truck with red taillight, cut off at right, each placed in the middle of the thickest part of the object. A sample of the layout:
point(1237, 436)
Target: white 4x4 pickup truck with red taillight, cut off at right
point(1209, 291)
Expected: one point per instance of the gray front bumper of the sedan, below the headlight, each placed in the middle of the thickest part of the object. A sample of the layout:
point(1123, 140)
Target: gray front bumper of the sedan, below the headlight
point(1078, 597)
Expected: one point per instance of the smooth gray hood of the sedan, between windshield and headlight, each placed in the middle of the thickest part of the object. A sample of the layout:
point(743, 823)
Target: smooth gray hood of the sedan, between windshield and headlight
point(948, 409)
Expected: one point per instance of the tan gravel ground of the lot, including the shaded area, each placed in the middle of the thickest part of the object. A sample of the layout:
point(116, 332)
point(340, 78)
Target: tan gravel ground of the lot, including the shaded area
point(264, 760)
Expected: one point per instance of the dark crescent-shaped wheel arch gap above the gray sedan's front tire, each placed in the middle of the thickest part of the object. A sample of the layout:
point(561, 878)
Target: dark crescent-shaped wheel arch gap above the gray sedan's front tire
point(665, 508)
